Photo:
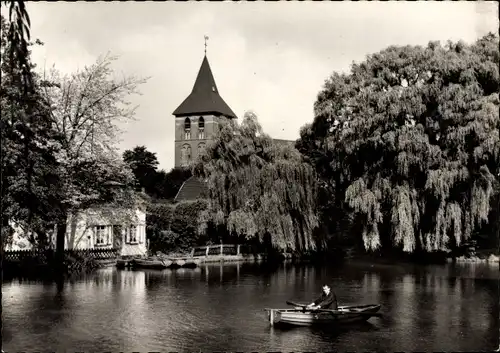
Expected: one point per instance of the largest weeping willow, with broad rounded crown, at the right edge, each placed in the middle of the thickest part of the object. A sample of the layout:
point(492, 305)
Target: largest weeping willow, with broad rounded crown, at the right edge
point(409, 142)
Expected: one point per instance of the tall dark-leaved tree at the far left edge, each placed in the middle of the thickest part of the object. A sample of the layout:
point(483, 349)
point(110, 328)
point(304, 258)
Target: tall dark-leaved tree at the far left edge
point(28, 147)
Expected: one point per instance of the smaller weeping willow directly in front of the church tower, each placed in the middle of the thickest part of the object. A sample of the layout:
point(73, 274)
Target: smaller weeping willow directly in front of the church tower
point(258, 189)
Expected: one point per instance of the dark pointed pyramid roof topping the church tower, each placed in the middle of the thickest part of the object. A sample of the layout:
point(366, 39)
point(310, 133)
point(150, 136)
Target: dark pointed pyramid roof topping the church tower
point(204, 98)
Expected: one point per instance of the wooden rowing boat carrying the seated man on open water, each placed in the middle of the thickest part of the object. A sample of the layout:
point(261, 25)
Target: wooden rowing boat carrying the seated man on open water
point(299, 316)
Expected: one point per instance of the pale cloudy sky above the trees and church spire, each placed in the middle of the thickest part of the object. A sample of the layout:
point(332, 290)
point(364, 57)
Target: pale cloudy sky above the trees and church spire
point(270, 58)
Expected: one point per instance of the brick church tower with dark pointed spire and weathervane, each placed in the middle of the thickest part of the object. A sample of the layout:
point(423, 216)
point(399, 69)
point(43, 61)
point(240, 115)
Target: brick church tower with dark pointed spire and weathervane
point(197, 118)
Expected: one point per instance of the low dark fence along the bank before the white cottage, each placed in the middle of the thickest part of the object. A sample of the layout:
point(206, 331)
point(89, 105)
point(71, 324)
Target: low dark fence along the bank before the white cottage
point(97, 254)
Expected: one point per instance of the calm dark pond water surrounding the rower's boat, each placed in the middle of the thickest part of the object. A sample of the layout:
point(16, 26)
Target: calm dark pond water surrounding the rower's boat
point(214, 308)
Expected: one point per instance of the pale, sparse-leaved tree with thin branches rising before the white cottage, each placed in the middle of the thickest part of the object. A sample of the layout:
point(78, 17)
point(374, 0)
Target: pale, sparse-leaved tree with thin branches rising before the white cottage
point(85, 109)
